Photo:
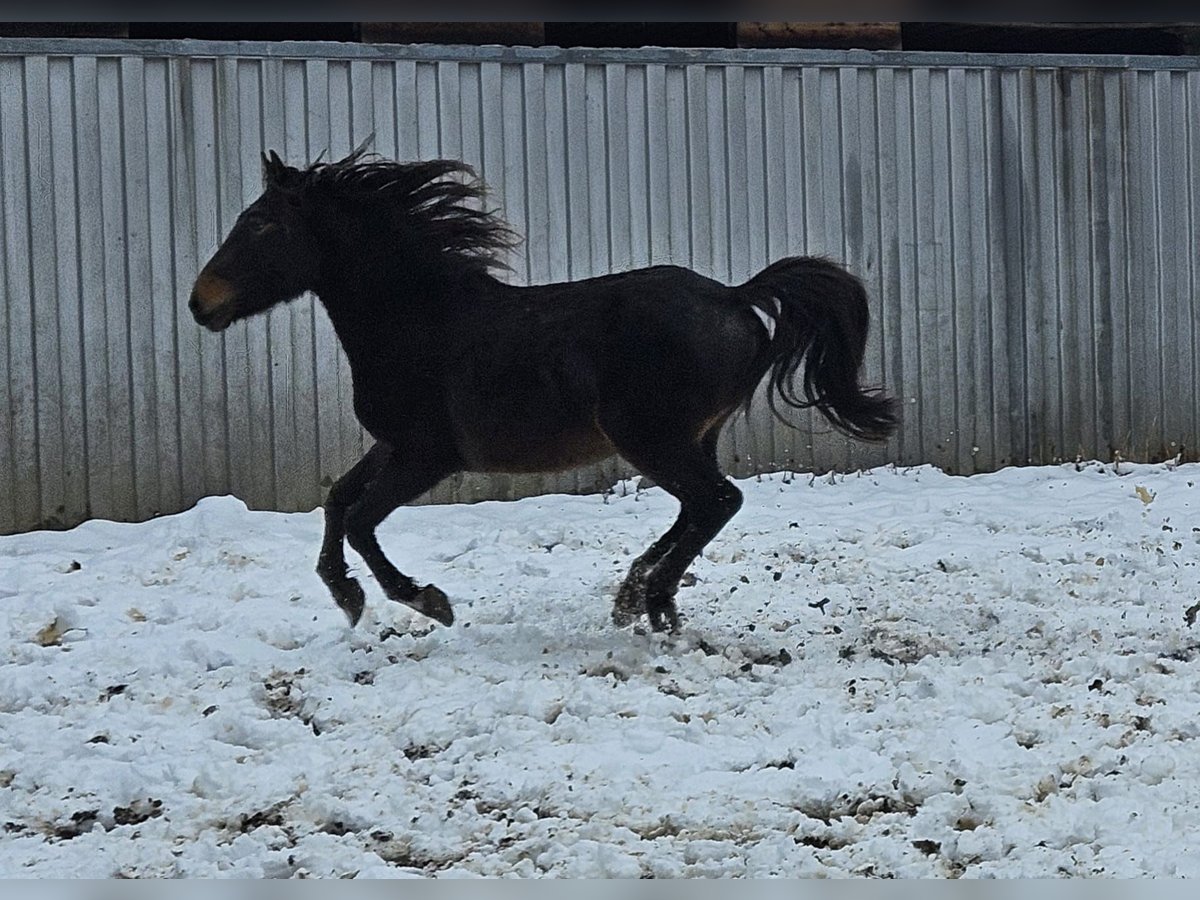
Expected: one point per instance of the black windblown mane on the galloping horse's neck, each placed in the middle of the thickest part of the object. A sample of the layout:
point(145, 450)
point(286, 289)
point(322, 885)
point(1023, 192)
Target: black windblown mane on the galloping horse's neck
point(435, 199)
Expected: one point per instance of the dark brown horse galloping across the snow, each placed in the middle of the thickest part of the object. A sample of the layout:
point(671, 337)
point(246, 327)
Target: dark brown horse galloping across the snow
point(457, 371)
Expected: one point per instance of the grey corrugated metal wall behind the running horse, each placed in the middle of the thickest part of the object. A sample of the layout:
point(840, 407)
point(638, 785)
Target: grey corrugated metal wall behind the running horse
point(1028, 231)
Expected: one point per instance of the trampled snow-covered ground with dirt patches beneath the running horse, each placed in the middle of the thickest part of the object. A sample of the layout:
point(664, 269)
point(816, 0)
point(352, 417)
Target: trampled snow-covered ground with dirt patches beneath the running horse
point(891, 674)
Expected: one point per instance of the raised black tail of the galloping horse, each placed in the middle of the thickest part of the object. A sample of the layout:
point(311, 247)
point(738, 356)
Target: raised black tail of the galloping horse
point(821, 320)
